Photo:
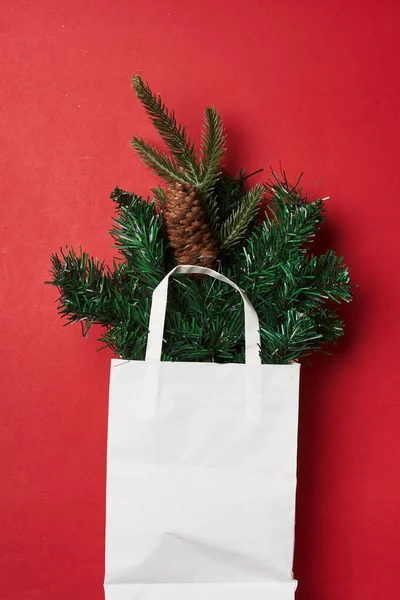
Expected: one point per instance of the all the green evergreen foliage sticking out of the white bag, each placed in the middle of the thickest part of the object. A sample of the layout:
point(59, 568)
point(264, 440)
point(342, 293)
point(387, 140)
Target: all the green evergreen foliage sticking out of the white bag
point(294, 292)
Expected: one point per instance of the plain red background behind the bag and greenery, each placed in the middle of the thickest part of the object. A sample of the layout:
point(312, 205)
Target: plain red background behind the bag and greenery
point(313, 84)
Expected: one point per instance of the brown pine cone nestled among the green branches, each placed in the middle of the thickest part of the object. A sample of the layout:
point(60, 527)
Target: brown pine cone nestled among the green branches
point(188, 229)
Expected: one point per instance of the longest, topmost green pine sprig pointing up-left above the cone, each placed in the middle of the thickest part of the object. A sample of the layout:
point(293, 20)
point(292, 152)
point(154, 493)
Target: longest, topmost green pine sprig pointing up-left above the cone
point(173, 134)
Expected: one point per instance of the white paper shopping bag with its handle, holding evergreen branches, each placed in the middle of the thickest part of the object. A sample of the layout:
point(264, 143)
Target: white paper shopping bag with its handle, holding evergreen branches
point(201, 473)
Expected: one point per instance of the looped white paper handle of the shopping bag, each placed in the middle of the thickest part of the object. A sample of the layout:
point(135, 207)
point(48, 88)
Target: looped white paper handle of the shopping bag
point(159, 306)
